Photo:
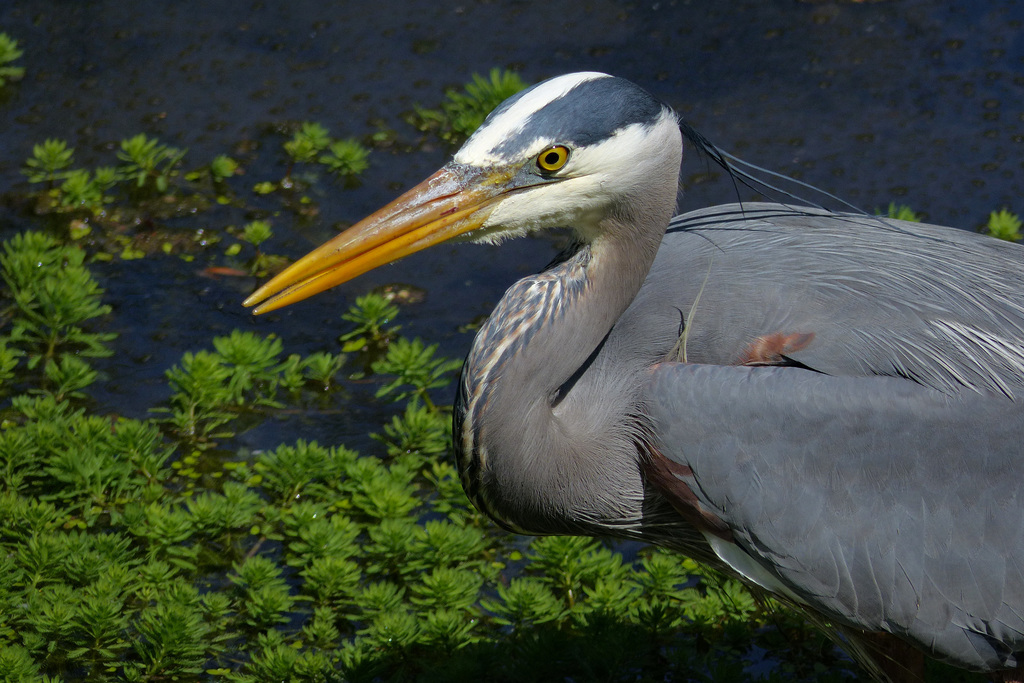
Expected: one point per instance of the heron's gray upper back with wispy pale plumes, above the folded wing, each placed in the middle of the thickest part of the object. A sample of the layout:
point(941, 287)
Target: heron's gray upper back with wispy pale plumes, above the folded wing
point(881, 297)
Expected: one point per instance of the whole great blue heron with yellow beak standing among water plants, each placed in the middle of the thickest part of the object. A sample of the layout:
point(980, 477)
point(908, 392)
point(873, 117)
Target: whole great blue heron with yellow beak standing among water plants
point(825, 404)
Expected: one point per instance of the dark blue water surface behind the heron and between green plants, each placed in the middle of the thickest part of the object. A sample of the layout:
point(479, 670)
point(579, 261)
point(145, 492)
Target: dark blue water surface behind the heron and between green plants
point(913, 102)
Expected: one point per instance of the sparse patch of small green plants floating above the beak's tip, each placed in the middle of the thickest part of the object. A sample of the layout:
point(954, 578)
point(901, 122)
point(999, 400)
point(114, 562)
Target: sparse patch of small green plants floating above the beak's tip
point(148, 188)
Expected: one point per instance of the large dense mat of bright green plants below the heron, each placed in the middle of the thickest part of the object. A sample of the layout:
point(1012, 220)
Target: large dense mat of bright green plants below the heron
point(141, 550)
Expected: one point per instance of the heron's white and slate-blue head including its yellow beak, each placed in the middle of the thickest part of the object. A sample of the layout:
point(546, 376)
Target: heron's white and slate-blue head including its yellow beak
point(570, 152)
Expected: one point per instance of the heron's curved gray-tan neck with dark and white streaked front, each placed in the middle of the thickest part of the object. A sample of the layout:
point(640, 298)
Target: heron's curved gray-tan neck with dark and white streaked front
point(527, 433)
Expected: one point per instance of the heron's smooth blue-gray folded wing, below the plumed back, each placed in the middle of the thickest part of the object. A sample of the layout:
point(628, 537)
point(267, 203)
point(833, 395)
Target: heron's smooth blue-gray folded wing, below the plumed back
point(889, 505)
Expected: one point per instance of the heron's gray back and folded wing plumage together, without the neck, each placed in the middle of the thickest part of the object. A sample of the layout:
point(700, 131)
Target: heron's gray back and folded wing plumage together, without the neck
point(890, 504)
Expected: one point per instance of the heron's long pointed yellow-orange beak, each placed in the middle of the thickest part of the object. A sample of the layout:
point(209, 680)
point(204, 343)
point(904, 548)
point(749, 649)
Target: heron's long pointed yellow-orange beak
point(452, 202)
